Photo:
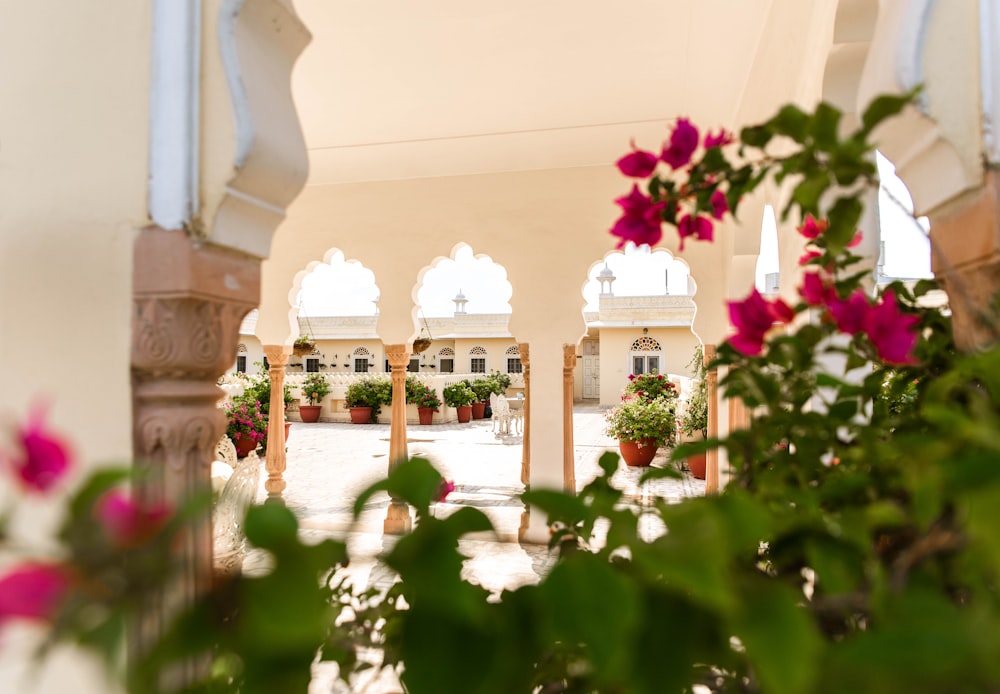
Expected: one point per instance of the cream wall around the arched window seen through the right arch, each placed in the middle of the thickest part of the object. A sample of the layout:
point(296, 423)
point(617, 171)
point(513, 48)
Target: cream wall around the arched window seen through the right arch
point(616, 344)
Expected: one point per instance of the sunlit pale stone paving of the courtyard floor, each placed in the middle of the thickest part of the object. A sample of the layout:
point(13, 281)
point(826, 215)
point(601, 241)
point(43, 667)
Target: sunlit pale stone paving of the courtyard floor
point(329, 464)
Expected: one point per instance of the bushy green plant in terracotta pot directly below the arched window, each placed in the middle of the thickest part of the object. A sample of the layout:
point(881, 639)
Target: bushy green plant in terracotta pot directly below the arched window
point(641, 426)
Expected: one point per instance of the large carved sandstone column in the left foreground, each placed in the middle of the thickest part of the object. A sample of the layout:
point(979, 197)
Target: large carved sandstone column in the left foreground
point(189, 300)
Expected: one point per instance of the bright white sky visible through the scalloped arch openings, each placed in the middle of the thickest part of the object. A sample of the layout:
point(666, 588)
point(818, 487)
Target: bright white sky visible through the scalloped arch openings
point(349, 289)
